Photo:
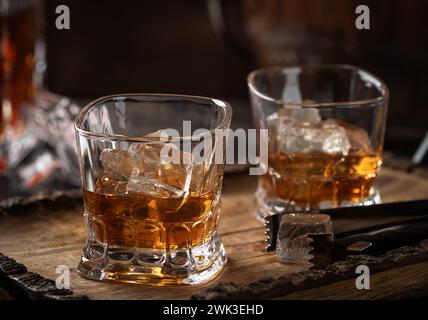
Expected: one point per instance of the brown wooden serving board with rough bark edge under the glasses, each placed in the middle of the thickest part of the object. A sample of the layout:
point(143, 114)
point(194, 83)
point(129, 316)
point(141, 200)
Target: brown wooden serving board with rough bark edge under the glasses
point(48, 232)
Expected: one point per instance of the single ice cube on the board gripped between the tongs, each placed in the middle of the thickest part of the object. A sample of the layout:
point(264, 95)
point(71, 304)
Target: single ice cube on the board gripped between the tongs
point(293, 241)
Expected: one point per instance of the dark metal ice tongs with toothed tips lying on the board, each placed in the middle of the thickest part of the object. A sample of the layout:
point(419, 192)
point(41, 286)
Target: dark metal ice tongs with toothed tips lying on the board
point(411, 228)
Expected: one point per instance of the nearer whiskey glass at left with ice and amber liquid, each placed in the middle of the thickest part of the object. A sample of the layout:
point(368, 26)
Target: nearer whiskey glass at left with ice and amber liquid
point(149, 220)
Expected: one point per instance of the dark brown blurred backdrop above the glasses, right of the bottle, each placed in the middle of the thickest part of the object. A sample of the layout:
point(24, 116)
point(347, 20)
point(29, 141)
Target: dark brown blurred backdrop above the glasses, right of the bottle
point(208, 47)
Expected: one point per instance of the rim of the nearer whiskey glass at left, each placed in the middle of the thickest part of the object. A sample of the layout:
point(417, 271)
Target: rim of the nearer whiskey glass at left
point(81, 117)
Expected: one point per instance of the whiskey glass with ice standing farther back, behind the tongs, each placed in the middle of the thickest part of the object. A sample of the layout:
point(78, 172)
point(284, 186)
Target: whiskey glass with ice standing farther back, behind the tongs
point(326, 130)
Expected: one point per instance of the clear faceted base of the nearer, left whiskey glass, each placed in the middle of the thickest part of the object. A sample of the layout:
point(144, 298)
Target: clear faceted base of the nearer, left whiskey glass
point(195, 265)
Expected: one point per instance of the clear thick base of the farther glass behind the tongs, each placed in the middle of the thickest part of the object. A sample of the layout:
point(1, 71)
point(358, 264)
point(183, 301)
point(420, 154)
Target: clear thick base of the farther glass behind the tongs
point(267, 207)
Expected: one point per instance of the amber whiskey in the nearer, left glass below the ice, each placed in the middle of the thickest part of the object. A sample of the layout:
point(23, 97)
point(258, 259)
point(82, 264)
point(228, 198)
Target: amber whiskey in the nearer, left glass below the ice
point(135, 220)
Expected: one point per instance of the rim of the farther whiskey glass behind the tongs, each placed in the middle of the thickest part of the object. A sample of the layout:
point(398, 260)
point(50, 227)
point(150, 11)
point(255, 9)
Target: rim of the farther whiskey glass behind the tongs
point(383, 88)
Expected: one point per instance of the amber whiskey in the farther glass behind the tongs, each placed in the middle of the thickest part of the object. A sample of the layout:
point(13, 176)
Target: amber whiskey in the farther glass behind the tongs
point(311, 180)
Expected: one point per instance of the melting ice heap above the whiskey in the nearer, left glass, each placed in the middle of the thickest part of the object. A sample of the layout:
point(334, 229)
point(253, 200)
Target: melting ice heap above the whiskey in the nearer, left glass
point(144, 169)
